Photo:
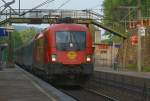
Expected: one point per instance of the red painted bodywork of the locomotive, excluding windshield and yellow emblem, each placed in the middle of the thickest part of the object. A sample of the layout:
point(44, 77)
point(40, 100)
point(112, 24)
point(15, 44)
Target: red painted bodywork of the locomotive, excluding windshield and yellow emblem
point(49, 42)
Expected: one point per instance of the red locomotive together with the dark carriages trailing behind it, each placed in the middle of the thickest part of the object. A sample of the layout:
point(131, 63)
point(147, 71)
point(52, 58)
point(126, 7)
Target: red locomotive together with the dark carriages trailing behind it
point(61, 50)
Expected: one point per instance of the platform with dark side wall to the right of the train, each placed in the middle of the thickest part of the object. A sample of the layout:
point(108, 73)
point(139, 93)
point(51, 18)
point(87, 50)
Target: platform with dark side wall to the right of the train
point(138, 82)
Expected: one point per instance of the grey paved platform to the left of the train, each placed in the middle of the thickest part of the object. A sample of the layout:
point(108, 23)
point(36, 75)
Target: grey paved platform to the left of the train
point(19, 85)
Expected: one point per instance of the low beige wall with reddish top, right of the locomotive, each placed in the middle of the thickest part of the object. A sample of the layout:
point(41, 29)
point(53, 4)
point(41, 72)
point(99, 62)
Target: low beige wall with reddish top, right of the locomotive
point(105, 55)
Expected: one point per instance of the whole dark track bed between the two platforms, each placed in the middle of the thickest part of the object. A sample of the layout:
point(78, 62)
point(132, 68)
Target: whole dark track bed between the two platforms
point(118, 90)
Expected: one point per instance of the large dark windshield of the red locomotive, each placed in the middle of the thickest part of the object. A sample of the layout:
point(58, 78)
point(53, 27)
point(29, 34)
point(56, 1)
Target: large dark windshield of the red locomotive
point(70, 40)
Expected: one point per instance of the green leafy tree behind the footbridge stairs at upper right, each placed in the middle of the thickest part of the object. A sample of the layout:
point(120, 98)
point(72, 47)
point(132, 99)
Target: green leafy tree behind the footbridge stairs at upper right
point(116, 12)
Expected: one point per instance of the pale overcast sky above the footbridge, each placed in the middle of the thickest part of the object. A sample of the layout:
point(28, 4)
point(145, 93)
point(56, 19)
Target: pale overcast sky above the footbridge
point(72, 4)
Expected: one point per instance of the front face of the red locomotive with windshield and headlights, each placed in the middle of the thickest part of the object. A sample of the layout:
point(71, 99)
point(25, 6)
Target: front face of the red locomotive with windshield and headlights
point(73, 50)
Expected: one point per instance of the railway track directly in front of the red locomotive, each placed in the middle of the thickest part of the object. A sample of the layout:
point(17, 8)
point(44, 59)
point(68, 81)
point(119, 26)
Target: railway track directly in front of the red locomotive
point(82, 94)
